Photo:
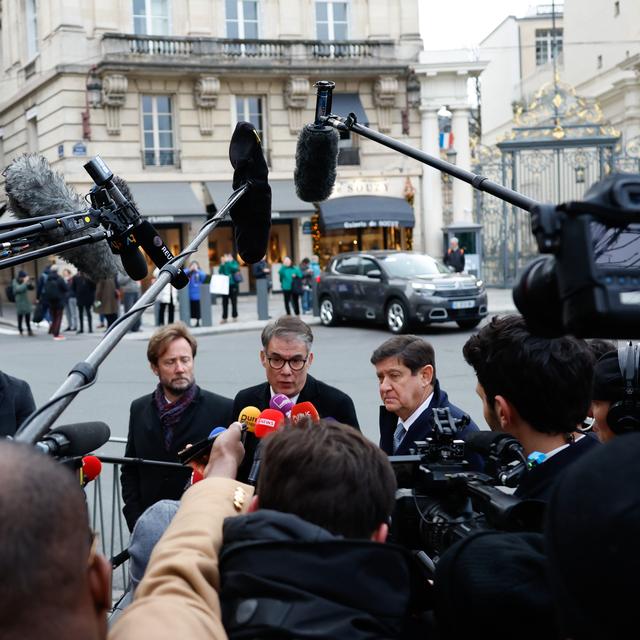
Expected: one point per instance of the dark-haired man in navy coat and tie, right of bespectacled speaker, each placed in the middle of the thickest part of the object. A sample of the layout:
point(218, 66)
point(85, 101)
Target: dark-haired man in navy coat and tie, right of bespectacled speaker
point(409, 389)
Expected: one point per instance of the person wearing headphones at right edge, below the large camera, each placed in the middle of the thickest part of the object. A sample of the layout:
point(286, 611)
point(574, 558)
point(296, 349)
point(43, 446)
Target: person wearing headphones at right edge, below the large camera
point(616, 393)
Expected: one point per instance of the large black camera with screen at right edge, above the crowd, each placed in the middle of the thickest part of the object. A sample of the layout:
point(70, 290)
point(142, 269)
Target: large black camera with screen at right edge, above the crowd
point(590, 285)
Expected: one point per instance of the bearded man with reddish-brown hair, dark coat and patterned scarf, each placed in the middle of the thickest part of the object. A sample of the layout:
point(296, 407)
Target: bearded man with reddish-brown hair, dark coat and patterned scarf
point(177, 413)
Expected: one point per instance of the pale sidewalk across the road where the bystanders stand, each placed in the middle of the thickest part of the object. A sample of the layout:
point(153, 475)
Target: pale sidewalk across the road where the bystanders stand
point(500, 301)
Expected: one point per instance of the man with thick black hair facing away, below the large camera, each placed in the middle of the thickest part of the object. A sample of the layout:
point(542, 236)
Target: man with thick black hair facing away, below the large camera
point(537, 390)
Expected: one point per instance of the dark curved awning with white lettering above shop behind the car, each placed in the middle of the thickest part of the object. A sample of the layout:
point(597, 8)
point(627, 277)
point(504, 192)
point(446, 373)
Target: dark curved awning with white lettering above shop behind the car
point(359, 212)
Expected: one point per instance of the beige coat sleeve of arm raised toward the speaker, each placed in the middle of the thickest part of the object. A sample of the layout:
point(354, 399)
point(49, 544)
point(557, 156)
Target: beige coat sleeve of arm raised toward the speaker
point(184, 603)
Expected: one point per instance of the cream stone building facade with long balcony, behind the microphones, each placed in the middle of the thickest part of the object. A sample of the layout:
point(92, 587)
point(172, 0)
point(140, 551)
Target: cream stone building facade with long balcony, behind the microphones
point(155, 88)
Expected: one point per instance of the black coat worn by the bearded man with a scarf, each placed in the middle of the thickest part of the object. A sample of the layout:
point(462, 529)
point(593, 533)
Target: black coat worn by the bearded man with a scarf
point(144, 485)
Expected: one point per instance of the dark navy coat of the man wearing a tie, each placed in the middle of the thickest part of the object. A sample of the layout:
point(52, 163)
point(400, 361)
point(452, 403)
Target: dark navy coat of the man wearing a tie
point(423, 426)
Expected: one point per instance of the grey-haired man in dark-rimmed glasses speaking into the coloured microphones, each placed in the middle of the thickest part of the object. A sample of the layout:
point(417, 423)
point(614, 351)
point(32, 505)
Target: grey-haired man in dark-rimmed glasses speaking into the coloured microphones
point(286, 357)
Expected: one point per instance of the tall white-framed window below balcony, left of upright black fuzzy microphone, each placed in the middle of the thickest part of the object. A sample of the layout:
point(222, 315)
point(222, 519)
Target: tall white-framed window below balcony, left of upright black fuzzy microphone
point(157, 121)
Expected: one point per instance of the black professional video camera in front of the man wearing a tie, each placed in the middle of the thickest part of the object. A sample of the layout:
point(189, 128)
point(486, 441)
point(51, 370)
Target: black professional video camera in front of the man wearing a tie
point(439, 500)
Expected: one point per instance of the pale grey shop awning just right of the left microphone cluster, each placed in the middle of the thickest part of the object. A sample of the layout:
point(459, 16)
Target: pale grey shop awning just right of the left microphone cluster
point(168, 200)
